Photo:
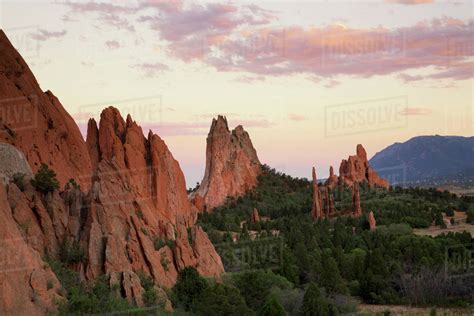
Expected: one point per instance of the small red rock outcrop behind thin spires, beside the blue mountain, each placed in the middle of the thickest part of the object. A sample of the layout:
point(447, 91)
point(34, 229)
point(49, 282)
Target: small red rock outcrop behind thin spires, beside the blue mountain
point(356, 169)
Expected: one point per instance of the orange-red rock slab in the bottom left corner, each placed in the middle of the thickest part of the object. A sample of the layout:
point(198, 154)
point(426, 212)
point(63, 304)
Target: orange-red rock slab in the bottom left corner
point(24, 277)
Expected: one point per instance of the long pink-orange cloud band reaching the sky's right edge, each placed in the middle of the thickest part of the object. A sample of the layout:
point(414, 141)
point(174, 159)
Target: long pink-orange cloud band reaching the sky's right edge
point(445, 44)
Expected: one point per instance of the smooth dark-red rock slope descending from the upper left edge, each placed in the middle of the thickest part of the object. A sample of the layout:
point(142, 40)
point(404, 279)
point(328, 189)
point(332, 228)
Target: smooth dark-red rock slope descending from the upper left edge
point(36, 122)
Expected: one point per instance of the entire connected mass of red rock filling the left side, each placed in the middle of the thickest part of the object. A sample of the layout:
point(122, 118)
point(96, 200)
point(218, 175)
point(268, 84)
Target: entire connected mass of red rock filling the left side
point(133, 199)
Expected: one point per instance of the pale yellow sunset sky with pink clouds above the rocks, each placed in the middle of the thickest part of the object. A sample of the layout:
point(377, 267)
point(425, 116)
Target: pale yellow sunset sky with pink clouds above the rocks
point(308, 80)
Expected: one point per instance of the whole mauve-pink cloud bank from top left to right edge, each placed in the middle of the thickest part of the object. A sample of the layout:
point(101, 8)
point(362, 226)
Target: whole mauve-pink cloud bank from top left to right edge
point(242, 38)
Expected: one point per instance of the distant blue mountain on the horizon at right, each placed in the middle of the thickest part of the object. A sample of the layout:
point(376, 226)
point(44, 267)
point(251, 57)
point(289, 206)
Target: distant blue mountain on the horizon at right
point(425, 159)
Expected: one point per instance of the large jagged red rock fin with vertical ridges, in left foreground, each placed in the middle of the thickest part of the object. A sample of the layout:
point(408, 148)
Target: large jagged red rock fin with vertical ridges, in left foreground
point(138, 180)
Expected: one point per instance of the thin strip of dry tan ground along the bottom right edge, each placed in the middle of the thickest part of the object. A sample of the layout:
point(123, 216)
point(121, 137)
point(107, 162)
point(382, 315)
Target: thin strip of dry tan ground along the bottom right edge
point(377, 310)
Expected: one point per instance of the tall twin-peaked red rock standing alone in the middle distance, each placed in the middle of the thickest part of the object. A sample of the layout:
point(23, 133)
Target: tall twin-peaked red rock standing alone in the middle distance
point(232, 166)
